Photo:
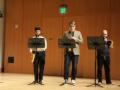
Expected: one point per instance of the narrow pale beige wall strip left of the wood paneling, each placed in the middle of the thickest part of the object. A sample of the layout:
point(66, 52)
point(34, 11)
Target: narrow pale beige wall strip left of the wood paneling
point(1, 32)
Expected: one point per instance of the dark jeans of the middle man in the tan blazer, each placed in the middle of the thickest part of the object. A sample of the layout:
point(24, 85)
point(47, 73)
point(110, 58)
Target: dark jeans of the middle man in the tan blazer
point(70, 57)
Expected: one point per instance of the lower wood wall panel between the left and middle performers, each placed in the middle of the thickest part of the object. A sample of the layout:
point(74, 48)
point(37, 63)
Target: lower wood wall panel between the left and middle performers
point(54, 55)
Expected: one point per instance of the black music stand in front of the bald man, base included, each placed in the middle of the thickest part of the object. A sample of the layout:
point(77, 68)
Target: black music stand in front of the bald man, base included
point(95, 42)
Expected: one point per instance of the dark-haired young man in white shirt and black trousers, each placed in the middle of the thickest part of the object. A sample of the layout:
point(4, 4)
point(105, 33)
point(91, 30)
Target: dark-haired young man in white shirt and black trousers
point(38, 58)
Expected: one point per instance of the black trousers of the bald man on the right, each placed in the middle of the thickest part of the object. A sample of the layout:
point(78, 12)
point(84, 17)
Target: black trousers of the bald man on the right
point(103, 61)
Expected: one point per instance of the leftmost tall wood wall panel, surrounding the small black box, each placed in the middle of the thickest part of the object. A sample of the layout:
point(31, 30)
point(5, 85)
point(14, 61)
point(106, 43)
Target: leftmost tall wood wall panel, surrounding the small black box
point(13, 35)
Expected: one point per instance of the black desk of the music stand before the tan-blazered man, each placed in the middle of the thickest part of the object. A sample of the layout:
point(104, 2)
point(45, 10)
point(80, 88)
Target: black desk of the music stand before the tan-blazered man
point(66, 43)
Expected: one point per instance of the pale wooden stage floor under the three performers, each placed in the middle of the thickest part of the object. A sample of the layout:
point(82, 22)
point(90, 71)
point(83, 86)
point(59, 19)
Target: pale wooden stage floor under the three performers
point(21, 81)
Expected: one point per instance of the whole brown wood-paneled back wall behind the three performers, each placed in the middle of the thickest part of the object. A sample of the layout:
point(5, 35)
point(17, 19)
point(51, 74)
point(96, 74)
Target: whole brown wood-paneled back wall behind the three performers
point(91, 16)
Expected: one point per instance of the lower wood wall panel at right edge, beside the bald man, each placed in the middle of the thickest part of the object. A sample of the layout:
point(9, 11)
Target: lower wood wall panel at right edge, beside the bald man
point(115, 57)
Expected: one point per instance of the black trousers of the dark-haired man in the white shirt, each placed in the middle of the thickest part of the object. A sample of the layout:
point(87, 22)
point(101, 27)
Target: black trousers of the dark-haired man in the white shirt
point(38, 65)
